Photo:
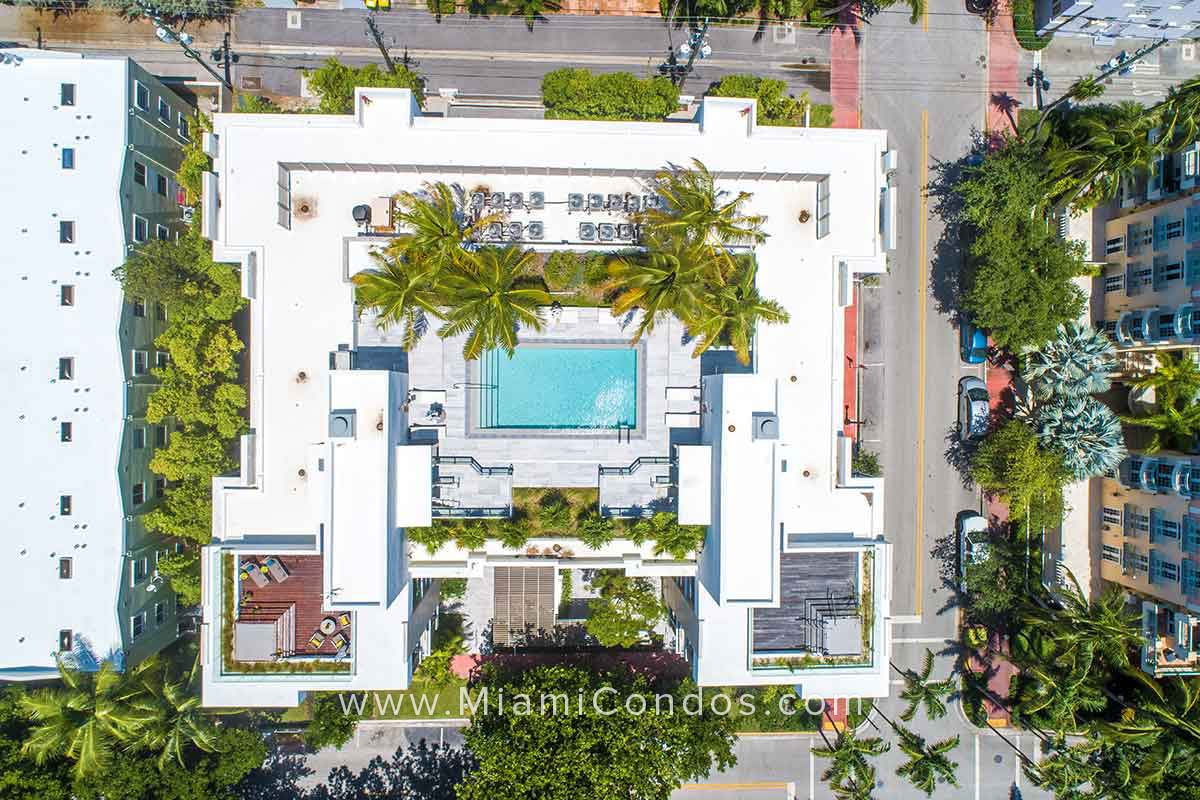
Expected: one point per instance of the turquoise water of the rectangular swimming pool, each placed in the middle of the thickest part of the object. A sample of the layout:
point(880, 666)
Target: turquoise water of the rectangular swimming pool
point(560, 387)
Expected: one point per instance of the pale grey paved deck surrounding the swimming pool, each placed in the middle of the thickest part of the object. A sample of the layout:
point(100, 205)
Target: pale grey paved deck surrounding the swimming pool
point(439, 364)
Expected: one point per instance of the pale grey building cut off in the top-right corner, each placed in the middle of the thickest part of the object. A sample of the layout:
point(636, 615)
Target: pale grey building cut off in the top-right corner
point(1112, 20)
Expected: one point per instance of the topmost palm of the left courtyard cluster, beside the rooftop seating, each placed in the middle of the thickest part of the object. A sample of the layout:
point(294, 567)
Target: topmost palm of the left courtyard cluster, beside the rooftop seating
point(439, 226)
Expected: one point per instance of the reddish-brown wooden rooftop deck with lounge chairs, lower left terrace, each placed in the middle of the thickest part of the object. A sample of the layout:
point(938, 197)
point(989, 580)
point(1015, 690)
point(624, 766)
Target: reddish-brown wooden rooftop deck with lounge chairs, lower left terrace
point(303, 590)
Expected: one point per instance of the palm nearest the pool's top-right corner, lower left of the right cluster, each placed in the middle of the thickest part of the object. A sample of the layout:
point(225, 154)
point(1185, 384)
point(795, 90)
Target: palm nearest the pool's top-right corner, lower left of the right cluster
point(673, 276)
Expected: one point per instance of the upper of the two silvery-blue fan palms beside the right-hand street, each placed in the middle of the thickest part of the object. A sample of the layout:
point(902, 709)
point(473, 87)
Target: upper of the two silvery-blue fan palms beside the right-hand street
point(1077, 362)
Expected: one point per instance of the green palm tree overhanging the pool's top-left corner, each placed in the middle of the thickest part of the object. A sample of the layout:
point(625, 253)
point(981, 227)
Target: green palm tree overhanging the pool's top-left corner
point(491, 303)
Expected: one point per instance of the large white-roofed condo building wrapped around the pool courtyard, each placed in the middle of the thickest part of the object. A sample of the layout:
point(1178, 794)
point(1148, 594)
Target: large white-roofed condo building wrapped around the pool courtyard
point(313, 584)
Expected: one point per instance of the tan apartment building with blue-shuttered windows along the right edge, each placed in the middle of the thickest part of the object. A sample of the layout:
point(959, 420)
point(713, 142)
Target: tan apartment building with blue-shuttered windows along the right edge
point(1149, 531)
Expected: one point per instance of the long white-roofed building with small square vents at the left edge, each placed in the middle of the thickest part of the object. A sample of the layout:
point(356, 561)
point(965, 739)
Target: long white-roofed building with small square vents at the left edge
point(92, 149)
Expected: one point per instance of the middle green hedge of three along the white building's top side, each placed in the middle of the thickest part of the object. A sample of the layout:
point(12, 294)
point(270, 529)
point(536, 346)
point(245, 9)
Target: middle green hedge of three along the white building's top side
point(574, 94)
